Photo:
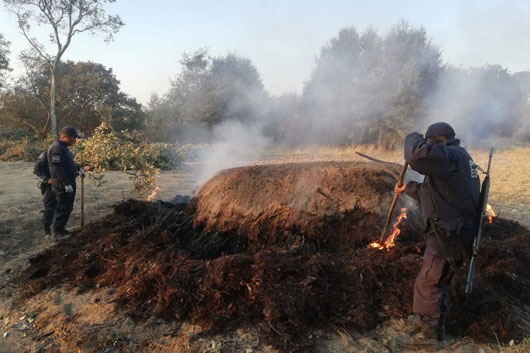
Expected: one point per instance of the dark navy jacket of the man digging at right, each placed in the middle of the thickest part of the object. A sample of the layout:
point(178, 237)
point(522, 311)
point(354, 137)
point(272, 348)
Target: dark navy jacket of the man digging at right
point(451, 188)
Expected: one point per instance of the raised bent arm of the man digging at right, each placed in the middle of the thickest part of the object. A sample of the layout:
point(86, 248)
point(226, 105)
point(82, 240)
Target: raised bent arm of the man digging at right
point(425, 158)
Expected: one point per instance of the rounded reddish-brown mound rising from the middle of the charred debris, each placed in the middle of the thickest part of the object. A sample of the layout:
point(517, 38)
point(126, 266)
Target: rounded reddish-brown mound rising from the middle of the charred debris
point(324, 202)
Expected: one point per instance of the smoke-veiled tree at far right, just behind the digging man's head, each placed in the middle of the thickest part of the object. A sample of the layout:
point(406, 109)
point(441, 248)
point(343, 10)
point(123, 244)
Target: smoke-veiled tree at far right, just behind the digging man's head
point(480, 102)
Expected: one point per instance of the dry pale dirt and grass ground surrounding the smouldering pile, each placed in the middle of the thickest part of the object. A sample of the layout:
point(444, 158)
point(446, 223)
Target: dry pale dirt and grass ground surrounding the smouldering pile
point(21, 238)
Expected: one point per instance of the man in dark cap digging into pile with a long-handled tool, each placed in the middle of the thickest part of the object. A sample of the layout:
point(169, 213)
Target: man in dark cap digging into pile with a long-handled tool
point(449, 197)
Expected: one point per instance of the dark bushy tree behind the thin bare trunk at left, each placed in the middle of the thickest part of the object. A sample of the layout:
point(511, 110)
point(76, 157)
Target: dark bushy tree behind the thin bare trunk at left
point(88, 94)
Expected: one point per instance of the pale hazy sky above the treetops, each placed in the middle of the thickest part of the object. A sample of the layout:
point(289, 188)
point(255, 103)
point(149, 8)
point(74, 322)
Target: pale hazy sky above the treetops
point(282, 38)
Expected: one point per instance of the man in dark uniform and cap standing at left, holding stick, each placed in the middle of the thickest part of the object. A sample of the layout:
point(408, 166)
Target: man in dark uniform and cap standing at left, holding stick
point(59, 198)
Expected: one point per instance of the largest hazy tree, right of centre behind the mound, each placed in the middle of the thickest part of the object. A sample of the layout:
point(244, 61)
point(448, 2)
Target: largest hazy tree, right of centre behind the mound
point(368, 88)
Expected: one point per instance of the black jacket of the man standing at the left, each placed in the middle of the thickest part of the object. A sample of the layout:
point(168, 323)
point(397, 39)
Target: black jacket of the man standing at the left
point(61, 163)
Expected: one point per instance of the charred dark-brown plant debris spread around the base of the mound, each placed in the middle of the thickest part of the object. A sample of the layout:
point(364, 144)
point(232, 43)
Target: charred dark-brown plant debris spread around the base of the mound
point(161, 264)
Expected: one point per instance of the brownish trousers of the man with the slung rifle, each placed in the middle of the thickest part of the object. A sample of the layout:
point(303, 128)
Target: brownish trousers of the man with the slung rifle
point(430, 290)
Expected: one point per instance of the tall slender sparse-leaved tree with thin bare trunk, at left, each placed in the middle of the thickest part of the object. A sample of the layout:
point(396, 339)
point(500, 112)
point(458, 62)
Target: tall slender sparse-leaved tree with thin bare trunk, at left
point(66, 19)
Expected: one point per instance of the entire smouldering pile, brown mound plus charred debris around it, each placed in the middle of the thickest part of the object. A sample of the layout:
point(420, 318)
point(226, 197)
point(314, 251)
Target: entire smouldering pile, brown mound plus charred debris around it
point(207, 262)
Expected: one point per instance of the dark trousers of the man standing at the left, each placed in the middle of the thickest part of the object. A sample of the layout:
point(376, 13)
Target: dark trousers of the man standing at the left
point(57, 209)
